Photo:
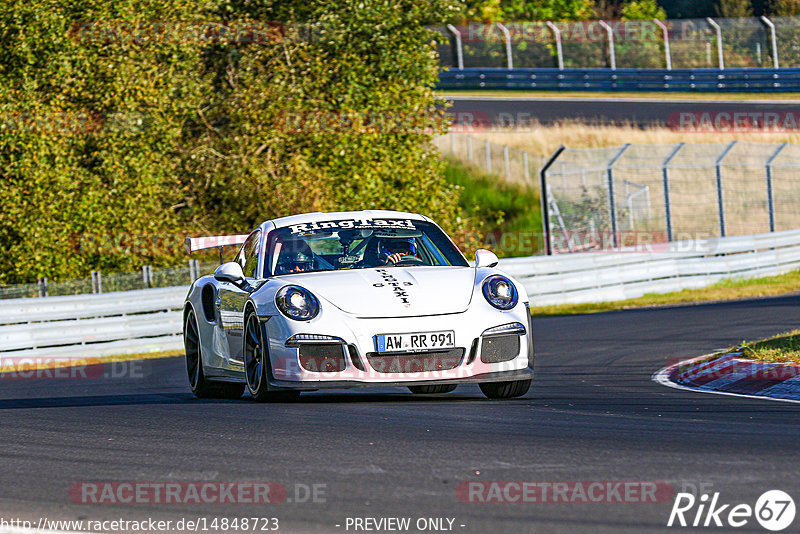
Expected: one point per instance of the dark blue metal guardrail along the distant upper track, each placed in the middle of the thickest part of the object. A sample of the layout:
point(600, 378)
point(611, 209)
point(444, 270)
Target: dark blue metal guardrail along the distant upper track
point(685, 80)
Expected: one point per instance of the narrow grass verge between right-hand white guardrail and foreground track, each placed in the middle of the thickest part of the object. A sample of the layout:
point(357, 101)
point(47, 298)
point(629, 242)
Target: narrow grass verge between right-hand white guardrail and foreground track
point(731, 289)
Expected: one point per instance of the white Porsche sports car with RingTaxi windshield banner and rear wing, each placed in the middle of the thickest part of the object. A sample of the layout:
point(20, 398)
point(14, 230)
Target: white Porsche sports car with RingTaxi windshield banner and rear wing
point(365, 298)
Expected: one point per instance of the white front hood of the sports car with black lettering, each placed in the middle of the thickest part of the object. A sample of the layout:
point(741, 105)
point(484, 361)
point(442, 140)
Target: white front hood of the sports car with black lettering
point(392, 291)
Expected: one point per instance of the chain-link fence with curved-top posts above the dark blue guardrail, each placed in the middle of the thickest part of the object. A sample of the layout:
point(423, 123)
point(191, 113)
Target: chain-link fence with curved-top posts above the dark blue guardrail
point(685, 43)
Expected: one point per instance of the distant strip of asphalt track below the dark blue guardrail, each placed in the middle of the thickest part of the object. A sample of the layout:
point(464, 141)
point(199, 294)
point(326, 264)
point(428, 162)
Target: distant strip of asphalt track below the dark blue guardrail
point(644, 112)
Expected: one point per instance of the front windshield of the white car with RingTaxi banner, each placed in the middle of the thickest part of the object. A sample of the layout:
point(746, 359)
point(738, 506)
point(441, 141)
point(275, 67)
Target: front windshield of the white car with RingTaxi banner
point(359, 244)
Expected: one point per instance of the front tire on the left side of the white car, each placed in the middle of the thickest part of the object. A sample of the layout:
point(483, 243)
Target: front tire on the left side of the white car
point(257, 364)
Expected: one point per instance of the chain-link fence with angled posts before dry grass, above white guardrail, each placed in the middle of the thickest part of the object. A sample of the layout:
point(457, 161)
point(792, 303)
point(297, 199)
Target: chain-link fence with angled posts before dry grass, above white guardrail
point(616, 196)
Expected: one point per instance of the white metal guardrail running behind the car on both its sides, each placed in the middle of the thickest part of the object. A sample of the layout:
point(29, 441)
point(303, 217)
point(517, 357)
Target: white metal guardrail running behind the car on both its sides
point(150, 319)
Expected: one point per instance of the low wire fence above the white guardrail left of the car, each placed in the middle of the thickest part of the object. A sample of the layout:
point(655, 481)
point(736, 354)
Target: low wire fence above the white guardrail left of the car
point(99, 282)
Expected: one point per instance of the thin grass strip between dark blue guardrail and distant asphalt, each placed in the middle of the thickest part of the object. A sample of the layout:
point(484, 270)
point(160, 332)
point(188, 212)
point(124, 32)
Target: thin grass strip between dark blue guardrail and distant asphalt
point(750, 97)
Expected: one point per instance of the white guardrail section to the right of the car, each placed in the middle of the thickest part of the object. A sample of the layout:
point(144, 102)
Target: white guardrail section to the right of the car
point(629, 273)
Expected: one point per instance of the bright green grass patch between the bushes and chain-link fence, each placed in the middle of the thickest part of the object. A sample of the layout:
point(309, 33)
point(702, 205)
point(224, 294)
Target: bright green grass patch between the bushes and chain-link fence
point(509, 213)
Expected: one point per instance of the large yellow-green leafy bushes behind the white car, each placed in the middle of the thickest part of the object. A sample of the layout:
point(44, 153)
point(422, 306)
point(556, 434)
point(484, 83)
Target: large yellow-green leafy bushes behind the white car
point(120, 138)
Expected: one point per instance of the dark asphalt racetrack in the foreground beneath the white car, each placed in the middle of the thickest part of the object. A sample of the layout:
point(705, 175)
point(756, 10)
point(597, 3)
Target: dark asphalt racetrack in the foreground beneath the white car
point(593, 414)
